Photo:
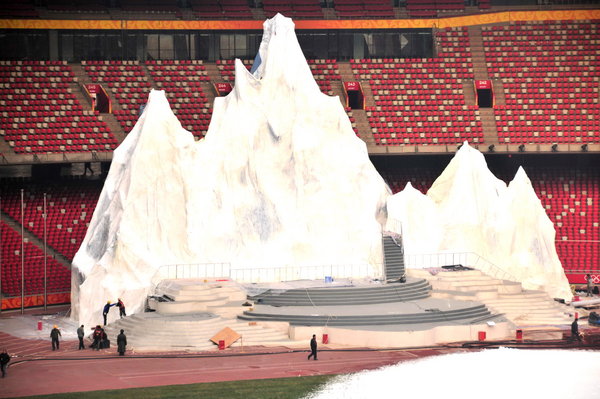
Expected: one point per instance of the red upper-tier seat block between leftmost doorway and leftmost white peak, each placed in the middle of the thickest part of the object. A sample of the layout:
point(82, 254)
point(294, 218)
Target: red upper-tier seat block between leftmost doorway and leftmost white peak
point(128, 83)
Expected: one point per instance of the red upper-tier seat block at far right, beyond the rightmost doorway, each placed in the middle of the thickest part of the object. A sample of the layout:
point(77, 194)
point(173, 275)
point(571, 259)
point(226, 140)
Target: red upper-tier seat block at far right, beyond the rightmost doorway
point(550, 76)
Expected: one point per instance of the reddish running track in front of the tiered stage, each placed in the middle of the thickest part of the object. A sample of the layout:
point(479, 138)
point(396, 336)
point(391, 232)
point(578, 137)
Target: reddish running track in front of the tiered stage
point(36, 370)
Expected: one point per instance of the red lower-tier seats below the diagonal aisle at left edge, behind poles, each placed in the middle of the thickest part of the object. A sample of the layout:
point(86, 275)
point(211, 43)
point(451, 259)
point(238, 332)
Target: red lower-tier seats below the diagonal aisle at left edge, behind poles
point(58, 276)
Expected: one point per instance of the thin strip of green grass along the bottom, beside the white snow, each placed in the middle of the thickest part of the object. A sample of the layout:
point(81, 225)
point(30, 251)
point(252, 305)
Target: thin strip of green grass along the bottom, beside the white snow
point(274, 388)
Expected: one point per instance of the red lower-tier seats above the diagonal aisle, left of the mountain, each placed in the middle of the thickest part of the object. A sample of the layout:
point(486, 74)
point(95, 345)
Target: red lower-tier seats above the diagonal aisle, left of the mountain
point(70, 206)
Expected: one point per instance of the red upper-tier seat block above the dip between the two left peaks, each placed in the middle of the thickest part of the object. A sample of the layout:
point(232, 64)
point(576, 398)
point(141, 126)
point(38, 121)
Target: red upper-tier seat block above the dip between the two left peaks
point(181, 81)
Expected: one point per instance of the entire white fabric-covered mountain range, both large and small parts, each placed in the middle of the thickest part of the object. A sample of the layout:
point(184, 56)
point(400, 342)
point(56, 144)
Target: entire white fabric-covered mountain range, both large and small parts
point(281, 180)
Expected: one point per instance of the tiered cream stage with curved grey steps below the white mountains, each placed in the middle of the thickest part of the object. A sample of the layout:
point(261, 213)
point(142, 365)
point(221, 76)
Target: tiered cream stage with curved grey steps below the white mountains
point(189, 312)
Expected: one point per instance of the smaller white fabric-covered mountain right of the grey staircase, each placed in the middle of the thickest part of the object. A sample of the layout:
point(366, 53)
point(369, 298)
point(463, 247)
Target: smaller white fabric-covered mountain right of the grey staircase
point(469, 210)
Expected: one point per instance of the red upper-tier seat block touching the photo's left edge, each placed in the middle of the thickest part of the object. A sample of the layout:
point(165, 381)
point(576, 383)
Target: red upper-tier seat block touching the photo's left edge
point(41, 115)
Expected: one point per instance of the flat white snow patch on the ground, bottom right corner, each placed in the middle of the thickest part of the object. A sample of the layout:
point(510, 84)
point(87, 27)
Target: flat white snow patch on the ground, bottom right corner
point(491, 374)
